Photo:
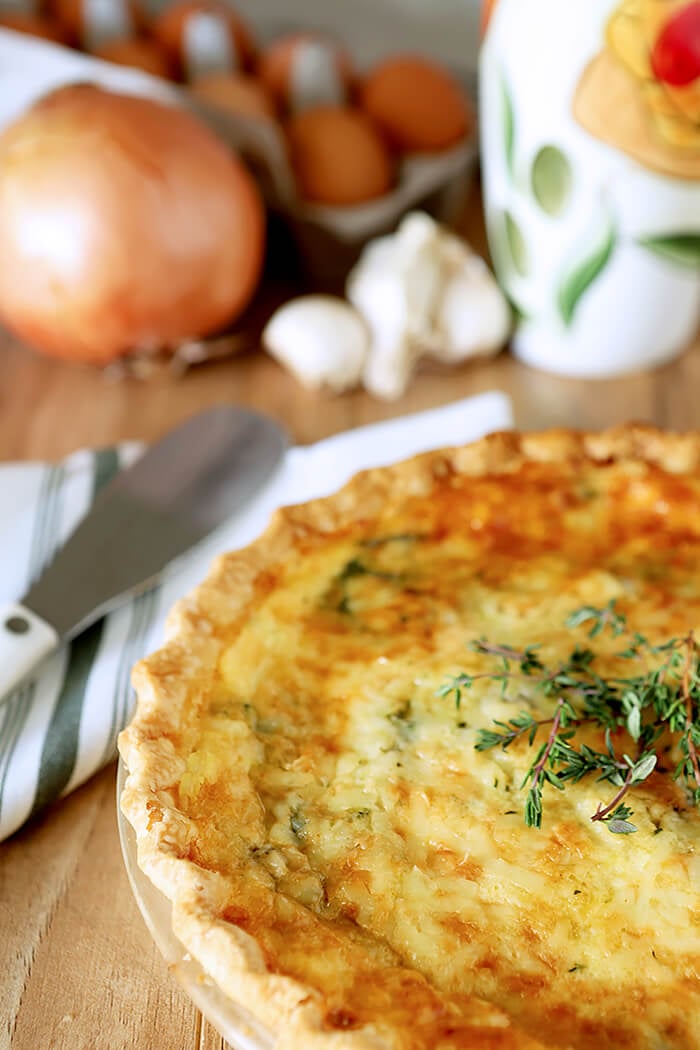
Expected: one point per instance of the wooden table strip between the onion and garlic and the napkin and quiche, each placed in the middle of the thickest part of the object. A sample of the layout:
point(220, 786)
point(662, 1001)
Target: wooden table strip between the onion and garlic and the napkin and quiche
point(49, 409)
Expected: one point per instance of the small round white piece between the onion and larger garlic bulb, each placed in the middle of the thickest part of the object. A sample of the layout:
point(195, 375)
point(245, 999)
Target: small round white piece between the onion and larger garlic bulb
point(322, 340)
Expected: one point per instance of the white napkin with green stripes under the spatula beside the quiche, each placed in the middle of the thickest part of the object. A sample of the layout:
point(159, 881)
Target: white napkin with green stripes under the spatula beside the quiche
point(61, 728)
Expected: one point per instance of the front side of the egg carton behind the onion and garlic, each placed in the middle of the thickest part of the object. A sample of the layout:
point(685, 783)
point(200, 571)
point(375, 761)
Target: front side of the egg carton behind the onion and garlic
point(327, 241)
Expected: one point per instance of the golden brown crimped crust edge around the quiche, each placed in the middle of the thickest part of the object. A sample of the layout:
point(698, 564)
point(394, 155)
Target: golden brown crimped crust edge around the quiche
point(180, 676)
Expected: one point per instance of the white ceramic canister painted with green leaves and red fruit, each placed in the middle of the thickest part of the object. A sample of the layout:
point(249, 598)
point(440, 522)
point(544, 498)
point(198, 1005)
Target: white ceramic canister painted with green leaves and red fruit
point(591, 170)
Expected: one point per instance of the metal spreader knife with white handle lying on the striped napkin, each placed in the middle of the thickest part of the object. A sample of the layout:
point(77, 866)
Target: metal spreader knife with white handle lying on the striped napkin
point(152, 514)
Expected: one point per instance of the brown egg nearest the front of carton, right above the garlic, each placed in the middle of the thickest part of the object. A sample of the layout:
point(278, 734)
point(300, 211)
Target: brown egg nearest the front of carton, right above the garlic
point(338, 156)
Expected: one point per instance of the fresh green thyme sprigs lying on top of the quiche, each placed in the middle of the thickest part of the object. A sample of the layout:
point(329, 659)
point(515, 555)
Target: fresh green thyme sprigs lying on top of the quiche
point(662, 699)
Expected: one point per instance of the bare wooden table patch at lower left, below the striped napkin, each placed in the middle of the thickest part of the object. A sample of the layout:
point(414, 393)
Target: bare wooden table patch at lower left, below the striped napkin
point(80, 965)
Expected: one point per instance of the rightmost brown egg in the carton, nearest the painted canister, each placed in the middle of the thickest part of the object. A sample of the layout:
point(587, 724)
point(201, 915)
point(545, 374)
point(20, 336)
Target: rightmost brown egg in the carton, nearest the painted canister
point(418, 104)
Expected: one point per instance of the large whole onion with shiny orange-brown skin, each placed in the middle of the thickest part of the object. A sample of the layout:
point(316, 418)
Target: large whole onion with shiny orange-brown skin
point(125, 225)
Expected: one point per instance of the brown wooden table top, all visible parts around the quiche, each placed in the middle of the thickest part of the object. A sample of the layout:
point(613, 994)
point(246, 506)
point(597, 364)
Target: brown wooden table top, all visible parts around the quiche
point(80, 970)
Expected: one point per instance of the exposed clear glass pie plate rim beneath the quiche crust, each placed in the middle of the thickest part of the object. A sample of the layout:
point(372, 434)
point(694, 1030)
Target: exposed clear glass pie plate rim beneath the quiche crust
point(239, 1027)
